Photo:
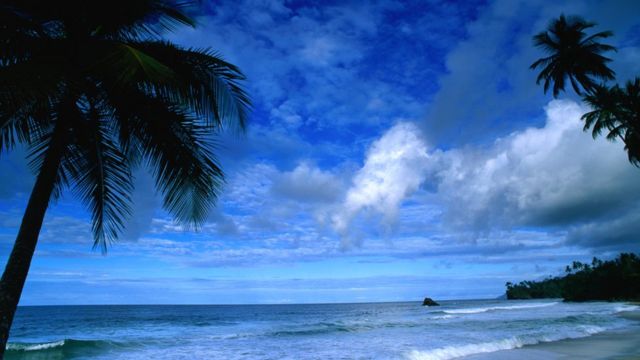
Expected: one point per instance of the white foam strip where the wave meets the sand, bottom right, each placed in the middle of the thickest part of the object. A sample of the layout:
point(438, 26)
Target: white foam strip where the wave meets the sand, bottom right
point(455, 351)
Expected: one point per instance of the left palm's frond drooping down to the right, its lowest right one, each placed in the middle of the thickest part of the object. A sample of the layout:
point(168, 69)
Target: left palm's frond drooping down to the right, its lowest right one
point(179, 150)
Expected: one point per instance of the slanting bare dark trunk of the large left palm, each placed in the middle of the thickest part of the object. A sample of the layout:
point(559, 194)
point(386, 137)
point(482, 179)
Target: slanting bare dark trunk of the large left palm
point(15, 273)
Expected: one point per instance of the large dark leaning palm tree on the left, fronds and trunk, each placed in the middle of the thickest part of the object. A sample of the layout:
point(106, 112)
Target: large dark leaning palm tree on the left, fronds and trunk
point(93, 92)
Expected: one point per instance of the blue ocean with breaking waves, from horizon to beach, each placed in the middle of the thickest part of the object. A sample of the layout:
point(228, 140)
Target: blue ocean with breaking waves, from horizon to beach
point(309, 331)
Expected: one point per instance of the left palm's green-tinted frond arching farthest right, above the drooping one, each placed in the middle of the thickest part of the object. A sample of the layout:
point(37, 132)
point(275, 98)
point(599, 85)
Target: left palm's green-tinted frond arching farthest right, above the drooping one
point(196, 78)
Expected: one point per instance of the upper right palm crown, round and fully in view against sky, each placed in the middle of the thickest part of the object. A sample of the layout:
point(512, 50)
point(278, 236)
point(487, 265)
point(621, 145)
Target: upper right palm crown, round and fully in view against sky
point(573, 56)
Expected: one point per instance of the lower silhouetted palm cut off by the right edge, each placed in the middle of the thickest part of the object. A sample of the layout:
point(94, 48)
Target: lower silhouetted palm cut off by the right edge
point(616, 110)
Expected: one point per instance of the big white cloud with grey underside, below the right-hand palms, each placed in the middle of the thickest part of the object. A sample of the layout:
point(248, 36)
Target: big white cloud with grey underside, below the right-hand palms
point(549, 177)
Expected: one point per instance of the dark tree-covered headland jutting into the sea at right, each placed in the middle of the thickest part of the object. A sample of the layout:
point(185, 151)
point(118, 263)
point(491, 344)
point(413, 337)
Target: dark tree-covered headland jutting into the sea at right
point(612, 280)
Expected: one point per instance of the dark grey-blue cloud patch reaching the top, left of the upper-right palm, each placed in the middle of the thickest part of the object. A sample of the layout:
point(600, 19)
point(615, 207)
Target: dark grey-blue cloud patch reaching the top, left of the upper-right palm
point(490, 72)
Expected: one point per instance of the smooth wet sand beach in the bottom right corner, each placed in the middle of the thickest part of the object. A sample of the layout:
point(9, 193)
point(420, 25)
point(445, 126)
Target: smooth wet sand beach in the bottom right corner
point(617, 343)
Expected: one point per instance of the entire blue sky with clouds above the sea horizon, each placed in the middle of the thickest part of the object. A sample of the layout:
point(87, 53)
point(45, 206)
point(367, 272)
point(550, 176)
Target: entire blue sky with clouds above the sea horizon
point(396, 150)
